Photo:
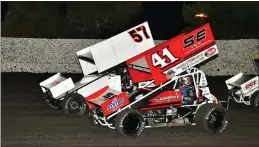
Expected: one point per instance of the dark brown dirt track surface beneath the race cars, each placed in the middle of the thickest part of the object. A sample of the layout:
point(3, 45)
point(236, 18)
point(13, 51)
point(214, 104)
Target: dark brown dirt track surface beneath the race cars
point(26, 121)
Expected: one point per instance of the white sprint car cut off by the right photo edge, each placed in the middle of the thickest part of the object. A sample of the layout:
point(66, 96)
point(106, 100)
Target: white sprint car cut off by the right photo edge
point(244, 88)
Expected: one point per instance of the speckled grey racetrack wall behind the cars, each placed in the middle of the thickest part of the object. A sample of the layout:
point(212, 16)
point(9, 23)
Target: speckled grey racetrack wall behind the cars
point(59, 55)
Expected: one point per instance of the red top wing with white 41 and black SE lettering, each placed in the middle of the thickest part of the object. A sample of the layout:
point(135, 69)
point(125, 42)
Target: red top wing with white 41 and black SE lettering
point(174, 56)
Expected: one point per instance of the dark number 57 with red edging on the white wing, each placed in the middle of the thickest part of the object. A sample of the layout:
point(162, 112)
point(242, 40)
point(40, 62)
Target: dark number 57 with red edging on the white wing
point(136, 36)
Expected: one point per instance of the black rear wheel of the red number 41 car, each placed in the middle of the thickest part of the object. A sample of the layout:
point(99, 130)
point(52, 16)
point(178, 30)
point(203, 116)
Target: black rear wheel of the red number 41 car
point(211, 118)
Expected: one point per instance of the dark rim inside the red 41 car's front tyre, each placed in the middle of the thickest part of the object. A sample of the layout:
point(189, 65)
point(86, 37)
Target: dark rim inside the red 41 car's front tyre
point(131, 124)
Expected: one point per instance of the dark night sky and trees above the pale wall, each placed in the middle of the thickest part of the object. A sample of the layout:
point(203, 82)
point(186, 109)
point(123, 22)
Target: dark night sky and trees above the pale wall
point(229, 20)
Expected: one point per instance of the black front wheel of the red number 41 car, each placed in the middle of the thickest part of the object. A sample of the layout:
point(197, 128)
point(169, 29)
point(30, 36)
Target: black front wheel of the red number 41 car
point(130, 123)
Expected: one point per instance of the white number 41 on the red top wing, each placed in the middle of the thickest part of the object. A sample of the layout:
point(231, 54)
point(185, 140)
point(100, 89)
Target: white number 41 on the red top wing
point(157, 60)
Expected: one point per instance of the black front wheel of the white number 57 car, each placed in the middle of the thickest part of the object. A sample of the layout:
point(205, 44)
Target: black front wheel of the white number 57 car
point(74, 105)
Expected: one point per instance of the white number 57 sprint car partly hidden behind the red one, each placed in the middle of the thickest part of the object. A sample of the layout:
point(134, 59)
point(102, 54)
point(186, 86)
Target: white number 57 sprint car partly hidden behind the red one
point(100, 67)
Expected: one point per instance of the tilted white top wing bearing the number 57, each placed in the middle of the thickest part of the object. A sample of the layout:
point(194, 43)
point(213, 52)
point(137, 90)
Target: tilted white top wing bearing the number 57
point(115, 50)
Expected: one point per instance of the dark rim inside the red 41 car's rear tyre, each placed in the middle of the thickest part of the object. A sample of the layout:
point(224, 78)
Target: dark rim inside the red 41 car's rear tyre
point(215, 120)
